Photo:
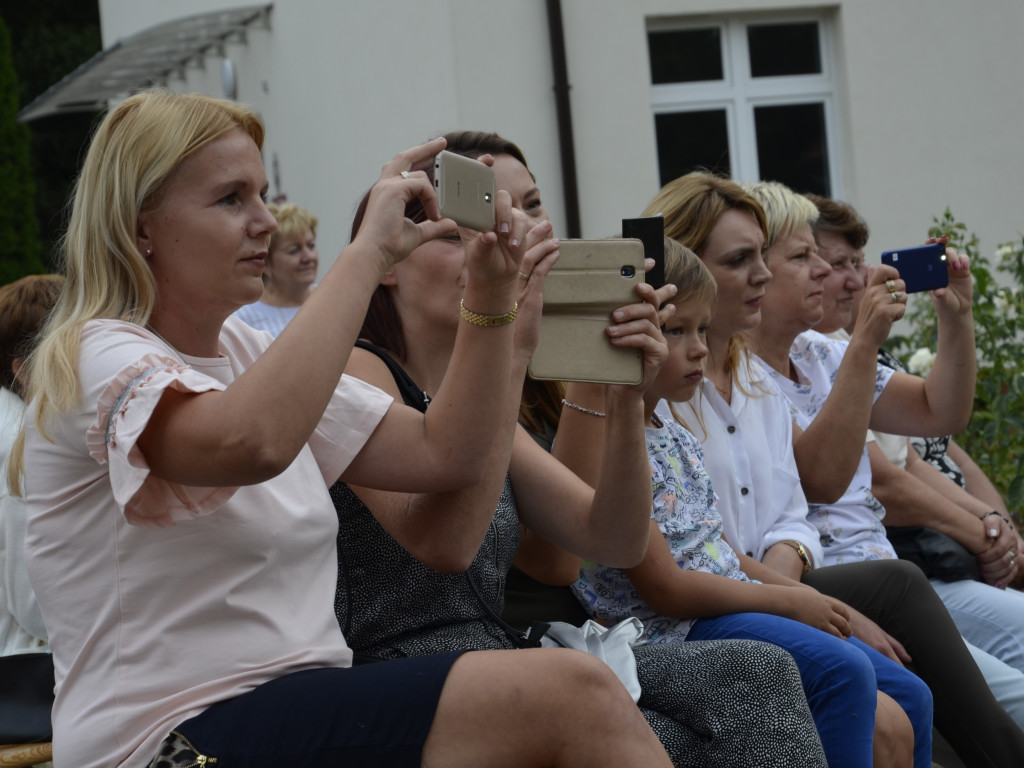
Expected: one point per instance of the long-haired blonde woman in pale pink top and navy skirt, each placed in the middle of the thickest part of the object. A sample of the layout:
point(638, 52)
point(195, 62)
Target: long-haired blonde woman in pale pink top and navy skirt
point(181, 538)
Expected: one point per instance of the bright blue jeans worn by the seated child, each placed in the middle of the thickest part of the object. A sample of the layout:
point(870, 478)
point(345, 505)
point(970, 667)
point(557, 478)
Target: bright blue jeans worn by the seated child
point(841, 680)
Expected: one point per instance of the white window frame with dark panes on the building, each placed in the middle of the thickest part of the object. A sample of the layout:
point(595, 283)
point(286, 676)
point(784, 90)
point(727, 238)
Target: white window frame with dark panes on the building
point(739, 95)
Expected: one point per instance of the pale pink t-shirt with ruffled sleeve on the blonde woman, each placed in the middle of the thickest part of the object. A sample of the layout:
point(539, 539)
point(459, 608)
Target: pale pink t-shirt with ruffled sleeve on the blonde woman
point(163, 600)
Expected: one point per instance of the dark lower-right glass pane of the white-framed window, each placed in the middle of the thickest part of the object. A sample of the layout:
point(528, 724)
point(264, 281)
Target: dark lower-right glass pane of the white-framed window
point(793, 148)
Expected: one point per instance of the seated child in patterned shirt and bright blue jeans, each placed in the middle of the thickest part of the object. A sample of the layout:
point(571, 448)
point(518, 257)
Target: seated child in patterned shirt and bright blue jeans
point(693, 586)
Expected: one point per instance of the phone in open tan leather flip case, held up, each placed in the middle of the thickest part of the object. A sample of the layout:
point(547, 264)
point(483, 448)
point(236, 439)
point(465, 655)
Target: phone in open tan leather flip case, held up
point(590, 281)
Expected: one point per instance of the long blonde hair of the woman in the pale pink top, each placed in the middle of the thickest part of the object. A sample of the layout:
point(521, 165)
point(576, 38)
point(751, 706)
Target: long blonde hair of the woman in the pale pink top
point(135, 150)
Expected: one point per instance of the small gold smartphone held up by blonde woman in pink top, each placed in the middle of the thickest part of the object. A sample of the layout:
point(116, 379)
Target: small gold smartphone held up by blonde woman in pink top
point(465, 191)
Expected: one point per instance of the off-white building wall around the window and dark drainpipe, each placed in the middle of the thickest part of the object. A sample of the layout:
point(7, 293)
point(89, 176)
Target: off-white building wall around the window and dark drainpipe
point(929, 97)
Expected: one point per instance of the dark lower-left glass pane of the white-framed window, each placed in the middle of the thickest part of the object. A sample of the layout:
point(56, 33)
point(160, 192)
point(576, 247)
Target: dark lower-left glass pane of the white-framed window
point(689, 141)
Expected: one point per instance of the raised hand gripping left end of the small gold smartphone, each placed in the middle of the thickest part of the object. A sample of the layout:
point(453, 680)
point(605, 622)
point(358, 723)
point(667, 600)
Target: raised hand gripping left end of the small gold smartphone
point(386, 226)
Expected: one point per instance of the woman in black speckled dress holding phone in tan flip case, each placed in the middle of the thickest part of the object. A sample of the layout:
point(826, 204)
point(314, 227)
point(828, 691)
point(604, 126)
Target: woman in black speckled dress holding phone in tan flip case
point(421, 574)
